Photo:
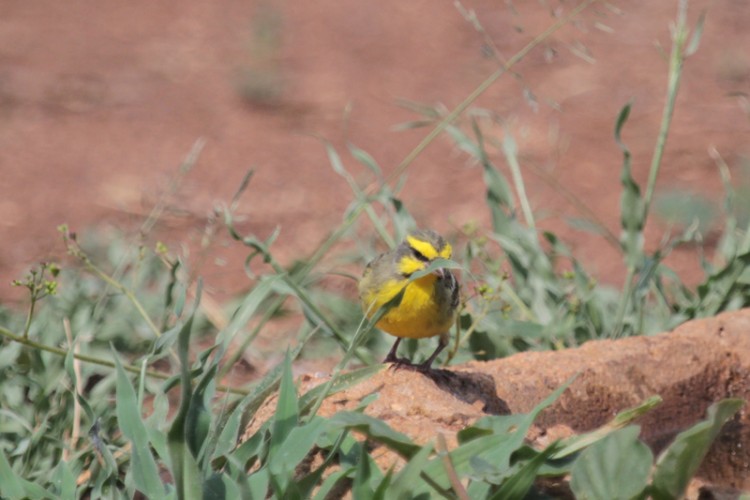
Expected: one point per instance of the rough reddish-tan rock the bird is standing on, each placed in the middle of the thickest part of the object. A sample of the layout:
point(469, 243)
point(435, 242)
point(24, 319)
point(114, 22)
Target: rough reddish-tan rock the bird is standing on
point(697, 364)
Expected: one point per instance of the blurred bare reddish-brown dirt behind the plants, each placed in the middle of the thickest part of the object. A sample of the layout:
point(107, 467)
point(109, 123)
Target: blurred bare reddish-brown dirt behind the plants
point(99, 104)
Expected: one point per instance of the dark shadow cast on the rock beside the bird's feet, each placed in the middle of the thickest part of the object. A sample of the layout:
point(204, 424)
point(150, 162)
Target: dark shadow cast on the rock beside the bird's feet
point(470, 387)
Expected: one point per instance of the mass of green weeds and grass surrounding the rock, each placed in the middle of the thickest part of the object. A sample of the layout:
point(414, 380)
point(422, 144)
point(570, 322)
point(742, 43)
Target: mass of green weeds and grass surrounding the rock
point(105, 391)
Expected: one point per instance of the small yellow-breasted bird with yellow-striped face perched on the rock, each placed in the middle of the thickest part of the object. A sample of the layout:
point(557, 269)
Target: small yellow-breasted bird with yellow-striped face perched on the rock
point(429, 303)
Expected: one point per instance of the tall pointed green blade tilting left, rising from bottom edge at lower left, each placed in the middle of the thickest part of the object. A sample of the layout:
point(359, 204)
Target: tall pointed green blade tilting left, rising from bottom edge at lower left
point(143, 467)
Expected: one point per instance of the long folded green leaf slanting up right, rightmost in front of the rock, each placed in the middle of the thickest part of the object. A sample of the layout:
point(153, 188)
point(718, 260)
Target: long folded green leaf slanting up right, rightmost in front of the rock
point(679, 462)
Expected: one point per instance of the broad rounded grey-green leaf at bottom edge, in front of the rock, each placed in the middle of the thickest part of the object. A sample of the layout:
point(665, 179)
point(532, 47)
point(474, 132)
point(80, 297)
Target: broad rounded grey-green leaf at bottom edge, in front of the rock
point(617, 467)
